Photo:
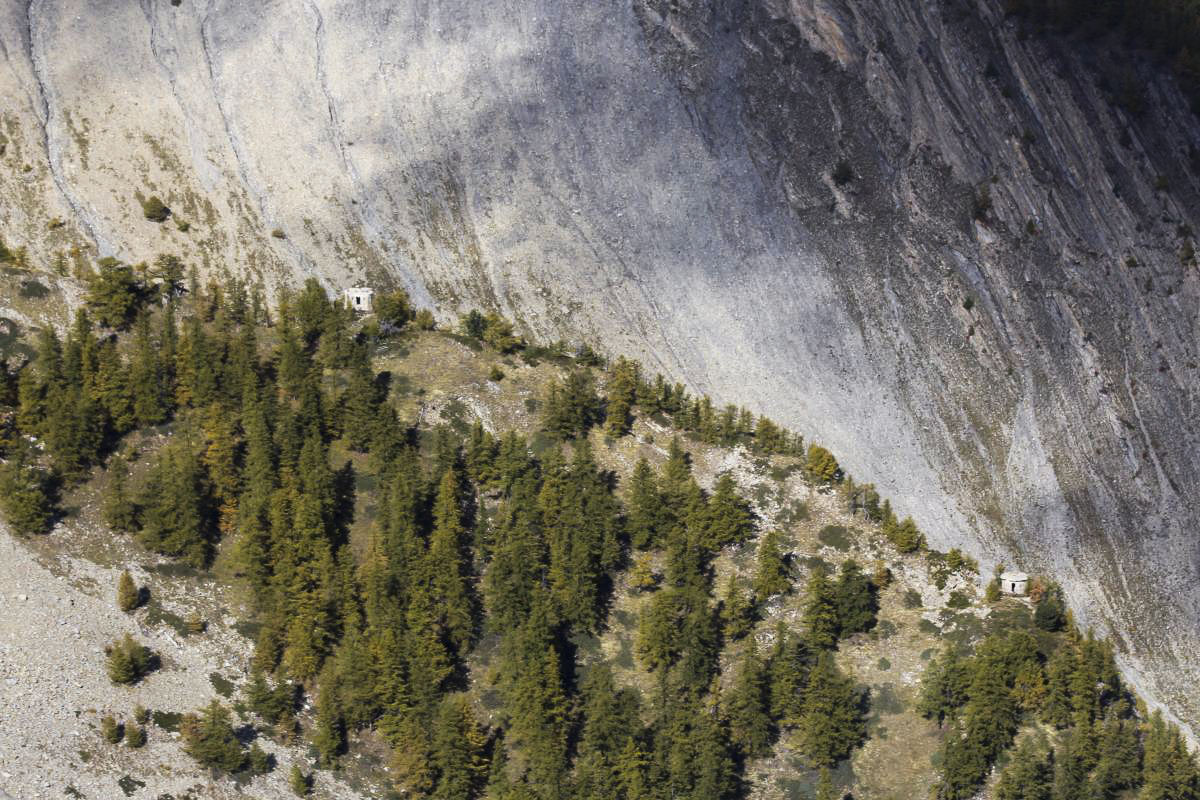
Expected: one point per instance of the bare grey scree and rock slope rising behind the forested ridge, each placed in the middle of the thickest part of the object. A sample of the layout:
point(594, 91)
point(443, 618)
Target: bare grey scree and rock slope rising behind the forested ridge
point(986, 310)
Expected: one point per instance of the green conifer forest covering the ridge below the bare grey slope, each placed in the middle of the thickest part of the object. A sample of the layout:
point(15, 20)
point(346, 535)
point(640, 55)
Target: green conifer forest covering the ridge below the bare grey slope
point(440, 594)
